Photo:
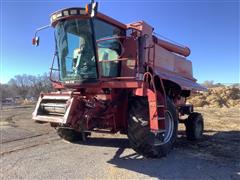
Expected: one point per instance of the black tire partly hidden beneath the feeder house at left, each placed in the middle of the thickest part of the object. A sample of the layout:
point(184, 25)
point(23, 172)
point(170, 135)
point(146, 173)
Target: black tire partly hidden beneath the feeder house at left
point(71, 135)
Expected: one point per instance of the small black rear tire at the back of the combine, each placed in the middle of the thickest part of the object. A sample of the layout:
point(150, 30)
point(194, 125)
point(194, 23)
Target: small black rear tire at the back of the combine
point(194, 126)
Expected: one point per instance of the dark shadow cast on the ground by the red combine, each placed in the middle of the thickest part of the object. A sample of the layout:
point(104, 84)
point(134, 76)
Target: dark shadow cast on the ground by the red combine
point(188, 159)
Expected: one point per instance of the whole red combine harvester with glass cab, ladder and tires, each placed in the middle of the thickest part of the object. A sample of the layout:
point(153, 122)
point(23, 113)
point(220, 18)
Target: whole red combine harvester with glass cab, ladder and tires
point(115, 77)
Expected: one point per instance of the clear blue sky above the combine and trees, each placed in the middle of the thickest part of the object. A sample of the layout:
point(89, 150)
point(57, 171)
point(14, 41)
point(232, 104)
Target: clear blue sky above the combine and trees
point(209, 28)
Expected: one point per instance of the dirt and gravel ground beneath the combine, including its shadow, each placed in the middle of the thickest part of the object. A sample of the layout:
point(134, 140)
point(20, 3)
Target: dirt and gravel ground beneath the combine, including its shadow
point(34, 151)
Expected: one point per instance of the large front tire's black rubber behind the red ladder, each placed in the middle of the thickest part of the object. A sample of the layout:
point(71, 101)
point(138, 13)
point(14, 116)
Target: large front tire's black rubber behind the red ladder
point(140, 137)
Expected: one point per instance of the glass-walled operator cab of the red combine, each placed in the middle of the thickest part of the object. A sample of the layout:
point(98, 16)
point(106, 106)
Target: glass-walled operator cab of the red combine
point(84, 44)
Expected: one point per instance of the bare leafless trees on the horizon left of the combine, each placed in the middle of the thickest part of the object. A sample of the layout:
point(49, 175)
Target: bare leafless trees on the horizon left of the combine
point(23, 86)
